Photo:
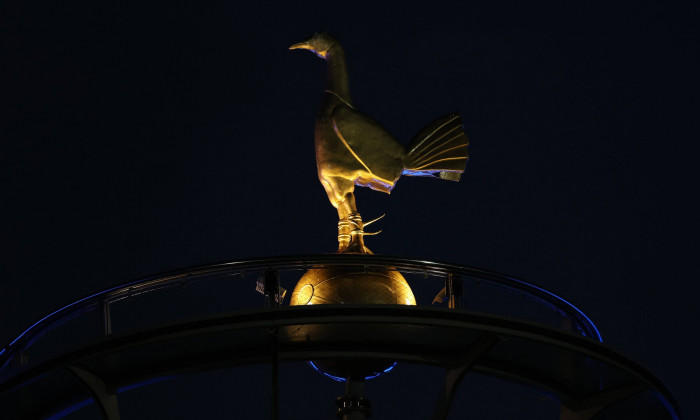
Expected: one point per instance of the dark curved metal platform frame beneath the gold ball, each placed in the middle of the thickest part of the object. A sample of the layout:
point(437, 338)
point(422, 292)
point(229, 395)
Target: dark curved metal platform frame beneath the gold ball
point(580, 403)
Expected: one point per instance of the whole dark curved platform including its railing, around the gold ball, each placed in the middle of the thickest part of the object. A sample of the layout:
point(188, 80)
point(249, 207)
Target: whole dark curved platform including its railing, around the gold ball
point(508, 328)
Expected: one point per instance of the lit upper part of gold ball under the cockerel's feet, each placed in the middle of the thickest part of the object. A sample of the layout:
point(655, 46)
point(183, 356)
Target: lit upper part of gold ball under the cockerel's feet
point(352, 285)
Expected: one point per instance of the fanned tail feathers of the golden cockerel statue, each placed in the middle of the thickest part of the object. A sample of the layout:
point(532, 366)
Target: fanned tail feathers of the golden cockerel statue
point(439, 149)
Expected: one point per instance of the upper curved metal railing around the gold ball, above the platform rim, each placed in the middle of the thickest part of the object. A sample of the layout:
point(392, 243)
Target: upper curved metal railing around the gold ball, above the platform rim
point(430, 275)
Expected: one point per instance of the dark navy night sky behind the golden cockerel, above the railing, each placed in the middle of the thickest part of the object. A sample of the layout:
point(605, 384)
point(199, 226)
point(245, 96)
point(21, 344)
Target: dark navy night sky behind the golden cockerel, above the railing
point(139, 140)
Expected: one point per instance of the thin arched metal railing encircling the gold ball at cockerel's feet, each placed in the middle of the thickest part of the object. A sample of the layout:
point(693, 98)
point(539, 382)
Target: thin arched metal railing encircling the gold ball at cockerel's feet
point(484, 291)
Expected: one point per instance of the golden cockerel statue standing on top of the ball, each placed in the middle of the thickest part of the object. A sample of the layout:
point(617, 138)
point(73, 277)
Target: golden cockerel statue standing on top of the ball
point(353, 149)
